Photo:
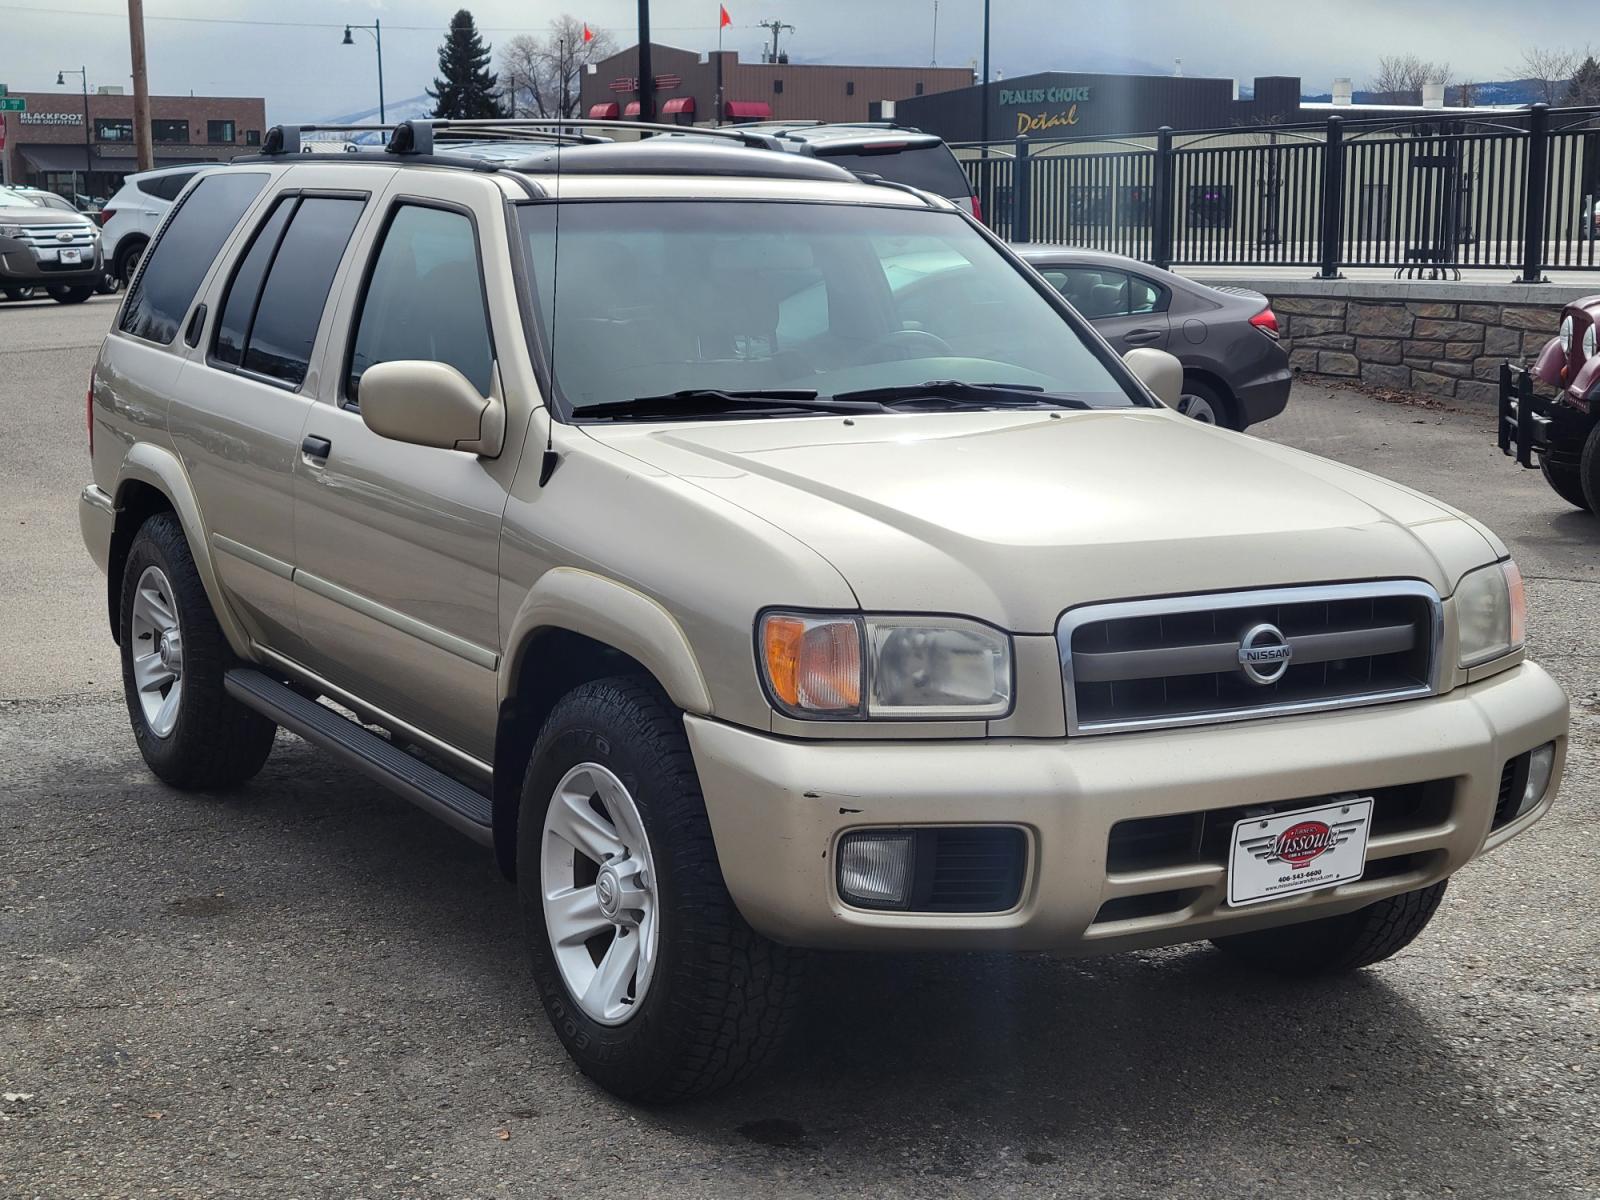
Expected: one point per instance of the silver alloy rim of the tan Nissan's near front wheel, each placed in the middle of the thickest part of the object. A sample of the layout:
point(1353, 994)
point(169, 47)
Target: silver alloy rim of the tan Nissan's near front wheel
point(598, 881)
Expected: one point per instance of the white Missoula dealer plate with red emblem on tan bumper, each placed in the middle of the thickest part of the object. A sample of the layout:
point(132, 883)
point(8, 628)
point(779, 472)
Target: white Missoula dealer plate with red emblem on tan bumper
point(1289, 854)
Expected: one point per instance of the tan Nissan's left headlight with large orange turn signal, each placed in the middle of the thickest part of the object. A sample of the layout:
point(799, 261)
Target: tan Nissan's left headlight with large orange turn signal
point(889, 668)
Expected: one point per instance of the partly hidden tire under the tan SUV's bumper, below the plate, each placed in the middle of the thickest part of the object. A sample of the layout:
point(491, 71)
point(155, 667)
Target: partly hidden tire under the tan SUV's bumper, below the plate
point(1337, 945)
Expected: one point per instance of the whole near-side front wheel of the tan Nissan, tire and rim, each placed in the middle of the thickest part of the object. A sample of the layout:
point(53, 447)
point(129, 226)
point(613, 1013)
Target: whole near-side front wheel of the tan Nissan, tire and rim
point(652, 978)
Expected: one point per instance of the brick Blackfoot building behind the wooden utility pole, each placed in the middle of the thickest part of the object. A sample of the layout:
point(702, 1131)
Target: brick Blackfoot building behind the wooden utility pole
point(58, 146)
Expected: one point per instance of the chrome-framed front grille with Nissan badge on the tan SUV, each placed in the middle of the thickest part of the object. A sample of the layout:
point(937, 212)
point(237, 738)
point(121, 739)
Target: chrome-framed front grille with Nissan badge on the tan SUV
point(1178, 660)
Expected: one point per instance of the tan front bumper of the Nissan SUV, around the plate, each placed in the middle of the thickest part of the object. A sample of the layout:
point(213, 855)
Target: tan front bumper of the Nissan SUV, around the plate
point(778, 809)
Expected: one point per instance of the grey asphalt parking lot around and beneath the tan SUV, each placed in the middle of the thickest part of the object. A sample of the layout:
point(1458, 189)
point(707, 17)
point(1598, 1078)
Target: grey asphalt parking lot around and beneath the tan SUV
point(308, 990)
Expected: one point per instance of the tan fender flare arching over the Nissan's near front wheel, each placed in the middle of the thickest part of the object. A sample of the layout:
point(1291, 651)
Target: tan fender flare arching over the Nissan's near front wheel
point(617, 615)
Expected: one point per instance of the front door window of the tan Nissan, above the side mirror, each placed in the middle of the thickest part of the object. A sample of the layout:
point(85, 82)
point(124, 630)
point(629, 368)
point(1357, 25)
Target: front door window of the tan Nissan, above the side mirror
point(425, 298)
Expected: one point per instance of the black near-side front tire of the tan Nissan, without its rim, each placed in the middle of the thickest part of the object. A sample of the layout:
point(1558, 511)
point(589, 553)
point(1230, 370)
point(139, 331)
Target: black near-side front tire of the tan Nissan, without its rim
point(722, 998)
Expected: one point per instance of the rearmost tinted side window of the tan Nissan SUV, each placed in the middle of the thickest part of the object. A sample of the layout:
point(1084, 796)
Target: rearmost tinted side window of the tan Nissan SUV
point(183, 254)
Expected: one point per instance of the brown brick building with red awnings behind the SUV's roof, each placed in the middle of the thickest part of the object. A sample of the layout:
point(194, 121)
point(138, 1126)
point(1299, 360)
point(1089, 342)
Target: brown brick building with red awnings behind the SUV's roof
point(687, 87)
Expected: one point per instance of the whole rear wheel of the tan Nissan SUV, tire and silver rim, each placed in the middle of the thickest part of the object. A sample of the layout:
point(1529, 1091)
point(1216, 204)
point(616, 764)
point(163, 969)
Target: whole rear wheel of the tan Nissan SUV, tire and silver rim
point(190, 730)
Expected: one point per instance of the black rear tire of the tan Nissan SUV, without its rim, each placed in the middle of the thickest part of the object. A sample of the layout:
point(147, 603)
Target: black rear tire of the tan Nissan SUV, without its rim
point(217, 742)
